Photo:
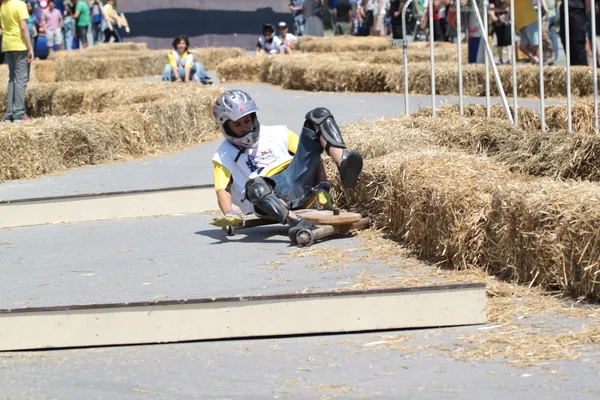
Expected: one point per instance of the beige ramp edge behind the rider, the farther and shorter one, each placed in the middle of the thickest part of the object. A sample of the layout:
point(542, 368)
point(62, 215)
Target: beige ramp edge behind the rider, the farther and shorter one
point(107, 206)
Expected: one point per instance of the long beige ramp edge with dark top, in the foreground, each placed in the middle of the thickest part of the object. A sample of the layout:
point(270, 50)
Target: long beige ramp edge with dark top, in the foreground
point(242, 317)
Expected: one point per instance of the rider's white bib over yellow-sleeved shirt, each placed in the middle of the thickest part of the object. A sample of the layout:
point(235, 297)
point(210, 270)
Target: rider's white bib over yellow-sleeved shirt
point(270, 155)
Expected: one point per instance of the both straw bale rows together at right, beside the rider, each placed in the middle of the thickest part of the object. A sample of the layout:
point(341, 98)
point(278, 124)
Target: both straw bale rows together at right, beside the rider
point(456, 193)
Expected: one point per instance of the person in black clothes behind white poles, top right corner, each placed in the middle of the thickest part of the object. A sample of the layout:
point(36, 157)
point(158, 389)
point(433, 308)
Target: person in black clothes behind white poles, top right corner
point(577, 31)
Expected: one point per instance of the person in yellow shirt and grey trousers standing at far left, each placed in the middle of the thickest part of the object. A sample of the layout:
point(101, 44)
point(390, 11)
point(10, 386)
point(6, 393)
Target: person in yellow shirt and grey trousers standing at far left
point(16, 45)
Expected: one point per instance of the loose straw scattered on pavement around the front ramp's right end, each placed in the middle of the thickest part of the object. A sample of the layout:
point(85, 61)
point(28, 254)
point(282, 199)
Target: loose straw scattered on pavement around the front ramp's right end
point(521, 327)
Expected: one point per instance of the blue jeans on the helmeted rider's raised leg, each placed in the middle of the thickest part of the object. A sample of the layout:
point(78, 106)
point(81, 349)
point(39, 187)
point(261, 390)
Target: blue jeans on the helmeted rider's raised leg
point(293, 185)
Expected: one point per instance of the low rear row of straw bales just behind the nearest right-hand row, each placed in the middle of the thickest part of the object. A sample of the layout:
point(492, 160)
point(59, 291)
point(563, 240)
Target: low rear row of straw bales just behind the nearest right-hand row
point(554, 154)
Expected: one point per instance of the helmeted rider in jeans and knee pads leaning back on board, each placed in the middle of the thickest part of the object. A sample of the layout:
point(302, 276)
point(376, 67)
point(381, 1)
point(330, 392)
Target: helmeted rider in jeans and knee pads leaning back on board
point(270, 170)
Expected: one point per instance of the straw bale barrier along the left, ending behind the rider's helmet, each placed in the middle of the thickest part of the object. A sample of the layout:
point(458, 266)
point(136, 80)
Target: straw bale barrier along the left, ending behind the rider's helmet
point(137, 125)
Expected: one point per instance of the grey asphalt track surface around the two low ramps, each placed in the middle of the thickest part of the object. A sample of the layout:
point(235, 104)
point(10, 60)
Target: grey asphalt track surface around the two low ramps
point(183, 256)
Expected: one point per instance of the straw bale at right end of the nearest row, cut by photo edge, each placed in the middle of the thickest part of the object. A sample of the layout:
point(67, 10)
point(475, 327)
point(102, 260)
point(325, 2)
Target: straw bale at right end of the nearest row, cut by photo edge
point(546, 233)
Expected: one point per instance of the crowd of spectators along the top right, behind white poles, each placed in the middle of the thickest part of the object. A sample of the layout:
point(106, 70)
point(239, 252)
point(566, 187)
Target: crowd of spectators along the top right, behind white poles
point(384, 18)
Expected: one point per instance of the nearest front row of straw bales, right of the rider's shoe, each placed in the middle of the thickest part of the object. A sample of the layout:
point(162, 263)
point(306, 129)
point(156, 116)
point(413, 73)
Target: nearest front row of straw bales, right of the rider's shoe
point(462, 211)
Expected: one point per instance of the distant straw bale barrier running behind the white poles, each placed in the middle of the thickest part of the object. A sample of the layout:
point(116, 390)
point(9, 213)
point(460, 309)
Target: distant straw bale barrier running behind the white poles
point(370, 65)
